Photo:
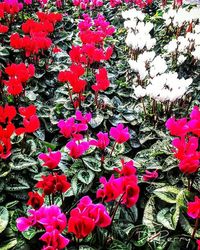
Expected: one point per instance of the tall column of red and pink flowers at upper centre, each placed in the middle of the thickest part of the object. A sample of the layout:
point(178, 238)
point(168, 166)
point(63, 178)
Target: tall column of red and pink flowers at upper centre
point(92, 34)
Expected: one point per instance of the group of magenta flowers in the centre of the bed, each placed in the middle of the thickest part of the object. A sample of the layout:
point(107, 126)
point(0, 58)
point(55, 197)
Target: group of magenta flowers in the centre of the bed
point(73, 128)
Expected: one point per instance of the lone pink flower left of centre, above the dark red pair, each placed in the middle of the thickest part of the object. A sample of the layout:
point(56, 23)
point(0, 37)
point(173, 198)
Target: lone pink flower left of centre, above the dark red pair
point(51, 160)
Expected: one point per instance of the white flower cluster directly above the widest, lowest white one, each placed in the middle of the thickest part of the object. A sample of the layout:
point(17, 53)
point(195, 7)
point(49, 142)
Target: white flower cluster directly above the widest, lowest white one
point(148, 64)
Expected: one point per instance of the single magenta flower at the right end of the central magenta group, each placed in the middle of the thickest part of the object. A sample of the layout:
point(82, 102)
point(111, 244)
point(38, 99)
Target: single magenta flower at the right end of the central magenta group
point(120, 134)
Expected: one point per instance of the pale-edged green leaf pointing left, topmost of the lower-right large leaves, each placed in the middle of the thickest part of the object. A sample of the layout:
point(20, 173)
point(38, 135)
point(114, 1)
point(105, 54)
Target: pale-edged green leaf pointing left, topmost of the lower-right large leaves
point(167, 193)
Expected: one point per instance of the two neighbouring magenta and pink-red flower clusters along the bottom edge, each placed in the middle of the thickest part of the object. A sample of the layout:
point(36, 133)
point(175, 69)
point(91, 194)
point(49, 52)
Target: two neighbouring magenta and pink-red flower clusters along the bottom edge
point(83, 219)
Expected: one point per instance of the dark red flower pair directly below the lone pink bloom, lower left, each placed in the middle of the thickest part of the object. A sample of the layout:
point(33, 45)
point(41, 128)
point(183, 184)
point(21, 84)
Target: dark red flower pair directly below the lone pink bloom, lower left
point(53, 183)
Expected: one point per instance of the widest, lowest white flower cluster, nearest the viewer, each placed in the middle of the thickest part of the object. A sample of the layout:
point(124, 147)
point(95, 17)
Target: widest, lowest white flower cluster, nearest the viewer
point(164, 87)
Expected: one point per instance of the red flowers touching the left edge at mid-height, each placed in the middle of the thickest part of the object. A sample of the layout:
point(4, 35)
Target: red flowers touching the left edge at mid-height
point(7, 128)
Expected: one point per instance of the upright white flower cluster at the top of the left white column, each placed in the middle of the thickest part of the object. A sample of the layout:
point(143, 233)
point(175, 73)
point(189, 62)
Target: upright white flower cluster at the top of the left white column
point(138, 37)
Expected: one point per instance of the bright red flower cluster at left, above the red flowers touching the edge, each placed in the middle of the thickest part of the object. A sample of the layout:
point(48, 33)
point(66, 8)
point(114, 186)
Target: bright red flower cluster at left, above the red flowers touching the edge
point(18, 74)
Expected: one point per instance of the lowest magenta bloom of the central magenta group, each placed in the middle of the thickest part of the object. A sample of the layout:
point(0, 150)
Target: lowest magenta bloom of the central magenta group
point(76, 150)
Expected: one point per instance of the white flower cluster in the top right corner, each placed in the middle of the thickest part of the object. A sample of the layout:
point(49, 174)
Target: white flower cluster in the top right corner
point(181, 16)
